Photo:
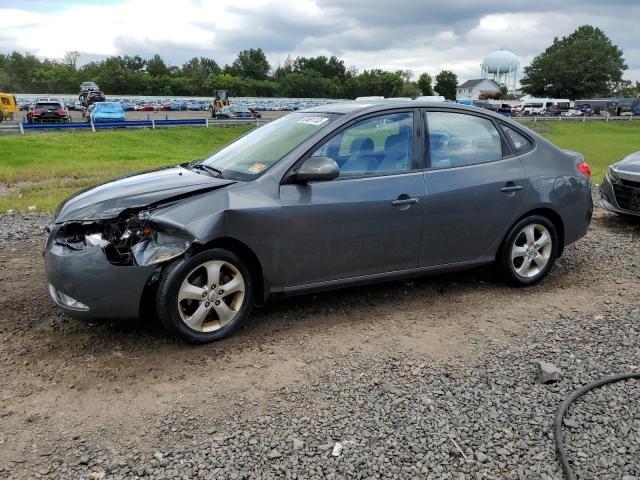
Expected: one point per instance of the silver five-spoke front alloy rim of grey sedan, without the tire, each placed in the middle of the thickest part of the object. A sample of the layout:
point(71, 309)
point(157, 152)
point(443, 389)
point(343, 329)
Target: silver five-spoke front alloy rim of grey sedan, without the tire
point(211, 296)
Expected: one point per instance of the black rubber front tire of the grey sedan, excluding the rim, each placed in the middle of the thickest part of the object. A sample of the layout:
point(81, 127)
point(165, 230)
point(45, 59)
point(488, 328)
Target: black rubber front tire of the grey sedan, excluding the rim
point(173, 278)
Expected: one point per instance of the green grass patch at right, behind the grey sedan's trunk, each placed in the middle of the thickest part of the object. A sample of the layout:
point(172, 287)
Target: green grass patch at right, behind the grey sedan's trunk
point(601, 143)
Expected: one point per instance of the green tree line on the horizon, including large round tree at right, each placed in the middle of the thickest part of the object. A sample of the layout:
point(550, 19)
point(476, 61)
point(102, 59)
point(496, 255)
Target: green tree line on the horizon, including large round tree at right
point(581, 65)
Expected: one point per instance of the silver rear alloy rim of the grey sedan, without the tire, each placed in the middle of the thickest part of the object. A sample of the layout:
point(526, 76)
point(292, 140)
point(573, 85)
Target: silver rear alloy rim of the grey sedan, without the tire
point(531, 250)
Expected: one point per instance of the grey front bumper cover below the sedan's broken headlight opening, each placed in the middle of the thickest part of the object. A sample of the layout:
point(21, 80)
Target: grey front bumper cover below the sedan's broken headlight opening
point(108, 291)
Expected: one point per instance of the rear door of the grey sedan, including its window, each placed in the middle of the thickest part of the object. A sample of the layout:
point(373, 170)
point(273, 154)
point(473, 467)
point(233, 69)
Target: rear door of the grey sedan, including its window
point(474, 187)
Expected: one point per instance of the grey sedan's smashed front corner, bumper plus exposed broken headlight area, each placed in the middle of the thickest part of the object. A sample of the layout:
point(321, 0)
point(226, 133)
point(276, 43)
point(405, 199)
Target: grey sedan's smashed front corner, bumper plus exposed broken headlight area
point(100, 269)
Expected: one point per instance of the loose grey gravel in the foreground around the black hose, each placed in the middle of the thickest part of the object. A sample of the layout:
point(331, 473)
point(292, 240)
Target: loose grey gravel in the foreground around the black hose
point(399, 417)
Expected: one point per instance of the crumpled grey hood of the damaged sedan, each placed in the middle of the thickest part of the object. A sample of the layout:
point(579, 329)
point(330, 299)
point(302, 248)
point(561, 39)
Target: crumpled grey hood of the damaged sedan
point(136, 191)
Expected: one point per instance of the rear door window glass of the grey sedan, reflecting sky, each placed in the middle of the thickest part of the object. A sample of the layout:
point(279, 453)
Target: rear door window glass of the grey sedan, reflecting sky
point(458, 139)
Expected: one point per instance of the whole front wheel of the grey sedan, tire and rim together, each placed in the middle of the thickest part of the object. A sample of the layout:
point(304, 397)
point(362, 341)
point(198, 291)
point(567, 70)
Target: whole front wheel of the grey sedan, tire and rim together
point(205, 297)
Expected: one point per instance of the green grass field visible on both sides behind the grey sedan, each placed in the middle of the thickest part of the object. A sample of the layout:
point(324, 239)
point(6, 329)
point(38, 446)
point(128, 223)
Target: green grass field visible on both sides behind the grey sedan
point(41, 170)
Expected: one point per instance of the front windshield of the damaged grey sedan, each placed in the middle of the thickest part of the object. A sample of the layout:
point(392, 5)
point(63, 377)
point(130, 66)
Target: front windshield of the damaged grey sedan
point(251, 155)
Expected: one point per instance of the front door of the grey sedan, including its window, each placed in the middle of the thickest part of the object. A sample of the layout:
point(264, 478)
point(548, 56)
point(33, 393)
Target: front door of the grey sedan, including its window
point(369, 219)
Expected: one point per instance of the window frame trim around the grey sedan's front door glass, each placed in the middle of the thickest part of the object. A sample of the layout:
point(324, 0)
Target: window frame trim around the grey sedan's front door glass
point(416, 152)
